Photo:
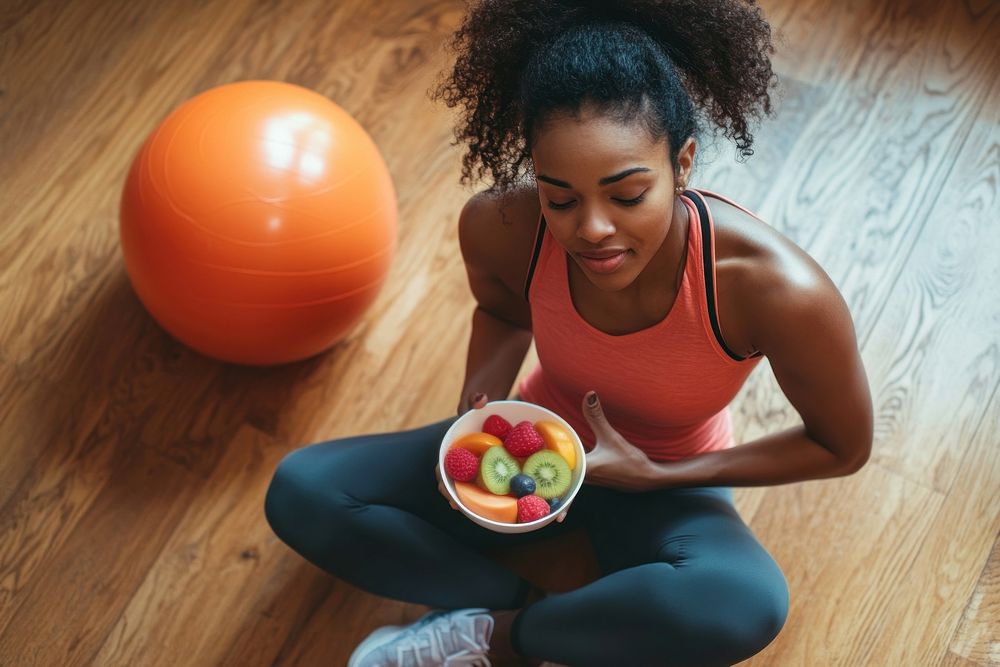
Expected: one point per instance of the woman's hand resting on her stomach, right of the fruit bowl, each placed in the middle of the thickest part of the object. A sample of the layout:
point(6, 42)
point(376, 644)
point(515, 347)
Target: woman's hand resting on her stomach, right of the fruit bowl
point(614, 461)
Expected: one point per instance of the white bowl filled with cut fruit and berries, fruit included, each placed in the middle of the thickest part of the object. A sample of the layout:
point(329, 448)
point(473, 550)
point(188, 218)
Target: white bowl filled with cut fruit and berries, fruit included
point(512, 466)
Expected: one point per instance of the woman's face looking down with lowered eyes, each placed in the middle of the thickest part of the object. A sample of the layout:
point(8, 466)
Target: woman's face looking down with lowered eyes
point(605, 187)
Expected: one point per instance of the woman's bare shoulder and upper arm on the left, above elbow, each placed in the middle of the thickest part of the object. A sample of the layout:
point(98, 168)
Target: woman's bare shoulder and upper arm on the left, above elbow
point(497, 237)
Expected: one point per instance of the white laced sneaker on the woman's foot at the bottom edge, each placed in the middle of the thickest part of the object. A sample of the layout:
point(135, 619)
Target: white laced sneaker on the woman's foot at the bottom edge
point(454, 638)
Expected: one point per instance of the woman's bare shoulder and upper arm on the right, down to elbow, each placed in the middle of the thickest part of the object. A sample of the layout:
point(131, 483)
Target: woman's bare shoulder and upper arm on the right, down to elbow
point(789, 308)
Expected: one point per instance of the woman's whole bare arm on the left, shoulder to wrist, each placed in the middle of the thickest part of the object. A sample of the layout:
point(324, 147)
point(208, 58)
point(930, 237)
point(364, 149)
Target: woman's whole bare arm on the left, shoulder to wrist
point(501, 322)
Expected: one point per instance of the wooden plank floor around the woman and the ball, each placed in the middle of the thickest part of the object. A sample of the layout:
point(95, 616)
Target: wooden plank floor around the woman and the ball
point(133, 470)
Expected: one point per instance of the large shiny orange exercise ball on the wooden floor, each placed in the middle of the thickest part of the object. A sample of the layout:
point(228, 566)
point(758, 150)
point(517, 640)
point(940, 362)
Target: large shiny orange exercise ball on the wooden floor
point(258, 222)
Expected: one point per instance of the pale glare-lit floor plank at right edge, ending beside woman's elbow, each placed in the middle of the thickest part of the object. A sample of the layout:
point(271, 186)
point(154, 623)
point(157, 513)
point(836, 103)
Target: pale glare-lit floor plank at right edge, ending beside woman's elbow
point(936, 321)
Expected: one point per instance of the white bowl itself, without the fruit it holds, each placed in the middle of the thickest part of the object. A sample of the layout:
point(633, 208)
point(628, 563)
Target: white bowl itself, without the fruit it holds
point(514, 412)
